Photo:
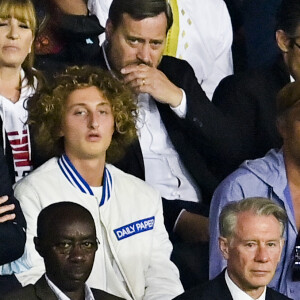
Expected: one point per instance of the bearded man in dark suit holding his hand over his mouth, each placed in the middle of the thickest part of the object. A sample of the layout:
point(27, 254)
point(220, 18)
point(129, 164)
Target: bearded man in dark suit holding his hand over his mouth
point(182, 136)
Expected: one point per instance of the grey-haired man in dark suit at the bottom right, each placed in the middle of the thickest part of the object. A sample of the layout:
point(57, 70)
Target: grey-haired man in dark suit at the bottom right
point(251, 240)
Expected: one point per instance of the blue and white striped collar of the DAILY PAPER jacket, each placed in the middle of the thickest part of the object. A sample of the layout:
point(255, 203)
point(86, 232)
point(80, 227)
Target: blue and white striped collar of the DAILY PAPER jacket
point(78, 182)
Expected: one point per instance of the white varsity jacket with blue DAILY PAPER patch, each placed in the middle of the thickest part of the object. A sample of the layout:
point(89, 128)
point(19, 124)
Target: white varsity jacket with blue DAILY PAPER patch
point(131, 214)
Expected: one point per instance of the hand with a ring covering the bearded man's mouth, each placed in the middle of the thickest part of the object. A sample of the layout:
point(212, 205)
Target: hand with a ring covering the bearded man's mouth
point(146, 79)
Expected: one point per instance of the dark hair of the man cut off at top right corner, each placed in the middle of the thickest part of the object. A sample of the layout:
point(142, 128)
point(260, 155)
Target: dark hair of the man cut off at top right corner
point(288, 17)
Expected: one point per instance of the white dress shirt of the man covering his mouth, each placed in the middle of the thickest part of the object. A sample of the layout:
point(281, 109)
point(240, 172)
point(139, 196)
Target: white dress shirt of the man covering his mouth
point(163, 167)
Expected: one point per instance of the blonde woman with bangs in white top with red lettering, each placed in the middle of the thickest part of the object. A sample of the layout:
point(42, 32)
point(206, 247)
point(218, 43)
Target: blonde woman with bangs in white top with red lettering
point(18, 81)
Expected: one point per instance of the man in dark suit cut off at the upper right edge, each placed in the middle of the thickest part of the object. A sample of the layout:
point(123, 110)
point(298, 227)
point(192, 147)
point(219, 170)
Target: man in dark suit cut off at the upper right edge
point(250, 97)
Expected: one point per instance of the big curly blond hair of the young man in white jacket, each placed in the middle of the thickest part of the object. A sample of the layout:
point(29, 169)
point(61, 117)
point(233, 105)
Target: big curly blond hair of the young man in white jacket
point(47, 107)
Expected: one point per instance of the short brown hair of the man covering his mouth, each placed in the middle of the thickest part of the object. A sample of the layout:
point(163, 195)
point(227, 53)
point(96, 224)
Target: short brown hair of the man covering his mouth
point(139, 10)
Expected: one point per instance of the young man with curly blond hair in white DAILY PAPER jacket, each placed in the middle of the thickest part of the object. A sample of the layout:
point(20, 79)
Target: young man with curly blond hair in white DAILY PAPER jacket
point(85, 120)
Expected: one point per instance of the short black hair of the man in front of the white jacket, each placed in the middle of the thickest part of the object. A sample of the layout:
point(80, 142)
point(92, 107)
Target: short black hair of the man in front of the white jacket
point(56, 212)
